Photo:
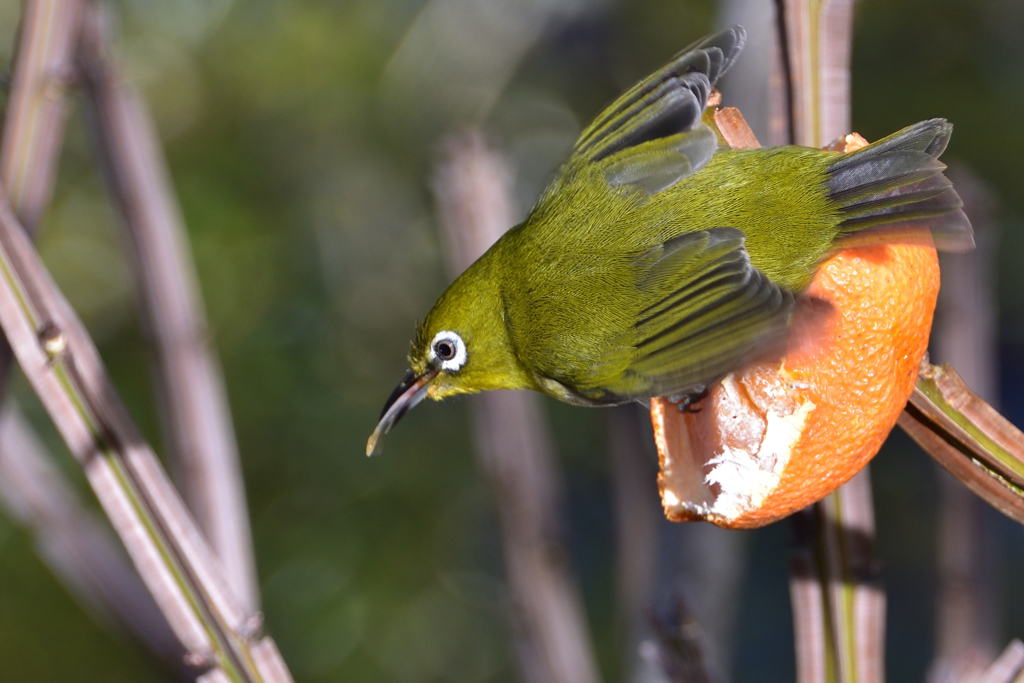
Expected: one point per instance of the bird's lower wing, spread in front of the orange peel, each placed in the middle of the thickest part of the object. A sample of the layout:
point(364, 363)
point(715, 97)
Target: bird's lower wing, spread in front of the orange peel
point(706, 312)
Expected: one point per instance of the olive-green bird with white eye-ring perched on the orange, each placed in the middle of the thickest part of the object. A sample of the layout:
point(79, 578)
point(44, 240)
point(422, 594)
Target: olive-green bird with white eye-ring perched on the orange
point(659, 260)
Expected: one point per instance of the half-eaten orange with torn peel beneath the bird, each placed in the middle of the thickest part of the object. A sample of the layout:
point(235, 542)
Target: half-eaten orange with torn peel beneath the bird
point(776, 438)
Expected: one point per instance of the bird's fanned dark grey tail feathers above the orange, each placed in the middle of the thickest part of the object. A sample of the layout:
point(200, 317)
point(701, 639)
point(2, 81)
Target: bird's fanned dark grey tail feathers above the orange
point(894, 191)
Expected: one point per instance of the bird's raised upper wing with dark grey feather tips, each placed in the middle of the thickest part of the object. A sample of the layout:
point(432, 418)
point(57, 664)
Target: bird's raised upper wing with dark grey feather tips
point(653, 137)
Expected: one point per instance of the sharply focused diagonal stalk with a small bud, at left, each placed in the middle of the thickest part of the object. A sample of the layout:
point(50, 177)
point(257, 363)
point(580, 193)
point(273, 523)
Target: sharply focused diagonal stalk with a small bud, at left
point(63, 366)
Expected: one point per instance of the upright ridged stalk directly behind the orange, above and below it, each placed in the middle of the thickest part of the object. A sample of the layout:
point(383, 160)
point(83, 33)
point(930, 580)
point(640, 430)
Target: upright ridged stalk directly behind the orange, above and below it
point(847, 645)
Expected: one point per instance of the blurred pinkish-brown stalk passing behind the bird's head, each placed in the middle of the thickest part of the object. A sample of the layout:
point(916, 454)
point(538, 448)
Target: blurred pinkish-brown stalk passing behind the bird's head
point(514, 446)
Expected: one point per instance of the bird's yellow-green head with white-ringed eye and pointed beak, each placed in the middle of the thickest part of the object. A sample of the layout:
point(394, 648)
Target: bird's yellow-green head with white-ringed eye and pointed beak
point(462, 347)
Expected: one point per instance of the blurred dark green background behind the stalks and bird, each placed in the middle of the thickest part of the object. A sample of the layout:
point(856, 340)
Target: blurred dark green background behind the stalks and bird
point(302, 138)
